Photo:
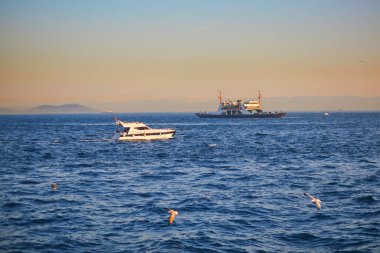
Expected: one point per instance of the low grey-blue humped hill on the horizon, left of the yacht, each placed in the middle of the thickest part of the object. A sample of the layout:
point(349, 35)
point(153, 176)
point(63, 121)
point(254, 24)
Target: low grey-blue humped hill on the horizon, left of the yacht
point(67, 108)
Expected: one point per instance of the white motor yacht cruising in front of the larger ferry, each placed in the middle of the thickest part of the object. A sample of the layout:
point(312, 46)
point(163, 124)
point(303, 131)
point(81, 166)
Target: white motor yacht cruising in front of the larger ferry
point(137, 131)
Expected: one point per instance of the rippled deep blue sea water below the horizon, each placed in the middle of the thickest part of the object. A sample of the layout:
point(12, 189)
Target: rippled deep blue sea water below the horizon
point(238, 184)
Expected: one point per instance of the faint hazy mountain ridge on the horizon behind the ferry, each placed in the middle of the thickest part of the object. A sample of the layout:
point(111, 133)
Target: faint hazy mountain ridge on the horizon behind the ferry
point(287, 104)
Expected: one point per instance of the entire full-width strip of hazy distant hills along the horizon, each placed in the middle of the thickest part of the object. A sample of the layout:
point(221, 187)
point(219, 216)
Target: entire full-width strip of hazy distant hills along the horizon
point(287, 104)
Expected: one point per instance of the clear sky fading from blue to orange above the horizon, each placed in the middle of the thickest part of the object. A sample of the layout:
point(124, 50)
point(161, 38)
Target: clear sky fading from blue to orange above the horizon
point(106, 53)
